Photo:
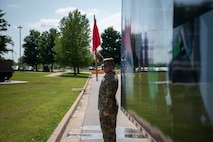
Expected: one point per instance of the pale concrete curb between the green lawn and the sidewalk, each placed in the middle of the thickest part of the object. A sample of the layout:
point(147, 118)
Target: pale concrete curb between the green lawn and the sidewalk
point(59, 131)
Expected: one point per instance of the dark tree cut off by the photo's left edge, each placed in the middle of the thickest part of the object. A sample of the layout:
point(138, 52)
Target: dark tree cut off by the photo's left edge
point(3, 38)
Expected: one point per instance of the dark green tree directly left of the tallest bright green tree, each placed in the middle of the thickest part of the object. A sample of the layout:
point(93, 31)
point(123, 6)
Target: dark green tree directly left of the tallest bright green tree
point(46, 47)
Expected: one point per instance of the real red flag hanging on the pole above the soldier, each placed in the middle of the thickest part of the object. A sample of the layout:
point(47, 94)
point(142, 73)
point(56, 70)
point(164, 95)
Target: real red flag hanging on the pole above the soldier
point(95, 37)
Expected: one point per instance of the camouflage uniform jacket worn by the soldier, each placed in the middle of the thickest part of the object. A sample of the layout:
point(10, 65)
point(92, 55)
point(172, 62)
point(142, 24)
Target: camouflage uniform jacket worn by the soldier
point(107, 91)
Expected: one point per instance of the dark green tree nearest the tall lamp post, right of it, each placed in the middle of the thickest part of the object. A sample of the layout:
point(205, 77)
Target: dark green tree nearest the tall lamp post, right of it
point(31, 52)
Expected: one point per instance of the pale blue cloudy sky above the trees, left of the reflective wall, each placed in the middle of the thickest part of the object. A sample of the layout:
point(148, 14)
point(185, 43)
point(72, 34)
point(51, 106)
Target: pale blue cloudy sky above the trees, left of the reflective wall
point(41, 15)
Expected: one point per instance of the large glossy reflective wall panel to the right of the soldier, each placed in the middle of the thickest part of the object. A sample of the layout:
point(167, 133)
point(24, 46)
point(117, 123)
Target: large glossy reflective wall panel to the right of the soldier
point(167, 69)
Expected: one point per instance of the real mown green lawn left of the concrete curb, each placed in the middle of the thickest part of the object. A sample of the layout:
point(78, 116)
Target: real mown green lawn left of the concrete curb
point(31, 112)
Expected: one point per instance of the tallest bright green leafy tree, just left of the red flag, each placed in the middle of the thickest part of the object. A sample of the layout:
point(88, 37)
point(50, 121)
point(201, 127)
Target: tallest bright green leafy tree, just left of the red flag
point(72, 47)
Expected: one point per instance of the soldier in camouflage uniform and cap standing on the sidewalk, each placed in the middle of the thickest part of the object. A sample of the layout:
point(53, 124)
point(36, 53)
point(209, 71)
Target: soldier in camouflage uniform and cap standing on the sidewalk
point(107, 103)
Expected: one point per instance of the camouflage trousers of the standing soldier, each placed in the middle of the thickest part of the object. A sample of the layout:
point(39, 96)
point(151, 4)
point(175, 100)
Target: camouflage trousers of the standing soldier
point(108, 126)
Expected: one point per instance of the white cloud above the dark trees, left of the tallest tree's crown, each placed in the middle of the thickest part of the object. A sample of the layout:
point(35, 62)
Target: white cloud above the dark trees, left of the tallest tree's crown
point(44, 24)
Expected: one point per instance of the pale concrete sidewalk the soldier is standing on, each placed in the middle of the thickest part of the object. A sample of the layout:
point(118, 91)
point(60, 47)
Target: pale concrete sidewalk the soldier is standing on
point(83, 125)
